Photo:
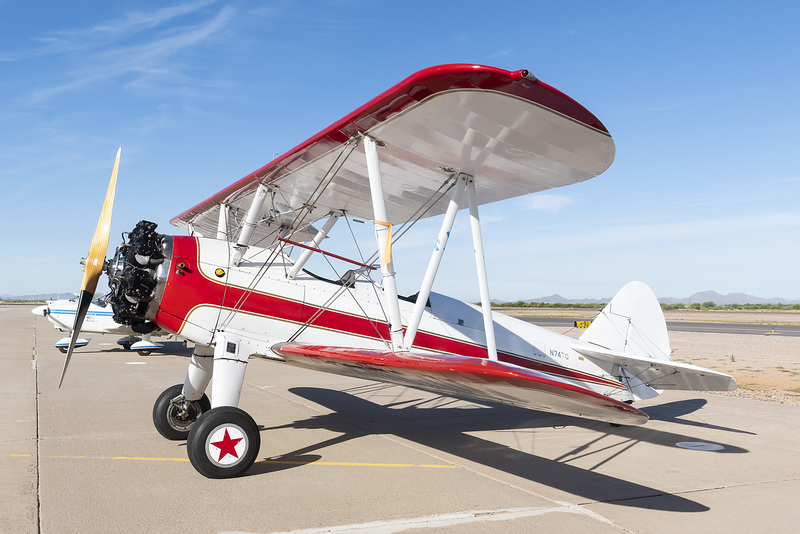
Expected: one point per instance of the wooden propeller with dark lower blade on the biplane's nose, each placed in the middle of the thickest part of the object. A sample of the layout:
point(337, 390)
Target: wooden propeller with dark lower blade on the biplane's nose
point(94, 264)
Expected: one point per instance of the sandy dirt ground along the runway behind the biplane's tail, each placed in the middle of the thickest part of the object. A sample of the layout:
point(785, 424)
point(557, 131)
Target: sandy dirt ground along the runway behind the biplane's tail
point(766, 367)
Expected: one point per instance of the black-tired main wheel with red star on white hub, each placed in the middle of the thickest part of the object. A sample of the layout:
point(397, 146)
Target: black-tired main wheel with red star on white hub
point(224, 443)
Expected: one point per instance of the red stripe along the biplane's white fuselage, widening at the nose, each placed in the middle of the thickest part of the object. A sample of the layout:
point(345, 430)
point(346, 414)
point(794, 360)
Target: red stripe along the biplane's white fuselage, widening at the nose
point(188, 288)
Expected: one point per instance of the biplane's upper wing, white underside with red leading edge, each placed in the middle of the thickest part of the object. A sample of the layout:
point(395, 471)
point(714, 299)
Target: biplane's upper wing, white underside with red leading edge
point(513, 133)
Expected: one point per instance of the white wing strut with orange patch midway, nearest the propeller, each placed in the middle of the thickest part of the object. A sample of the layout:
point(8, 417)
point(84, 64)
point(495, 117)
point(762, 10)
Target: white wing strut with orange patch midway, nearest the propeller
point(384, 237)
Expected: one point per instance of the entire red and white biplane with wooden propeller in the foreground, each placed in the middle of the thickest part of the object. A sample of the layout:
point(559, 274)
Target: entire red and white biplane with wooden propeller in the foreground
point(446, 138)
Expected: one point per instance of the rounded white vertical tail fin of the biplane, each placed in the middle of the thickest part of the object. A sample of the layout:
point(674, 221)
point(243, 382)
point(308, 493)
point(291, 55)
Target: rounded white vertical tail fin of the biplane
point(632, 323)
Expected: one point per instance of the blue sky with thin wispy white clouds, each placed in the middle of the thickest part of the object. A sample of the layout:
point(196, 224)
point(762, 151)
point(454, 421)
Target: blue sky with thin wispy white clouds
point(700, 97)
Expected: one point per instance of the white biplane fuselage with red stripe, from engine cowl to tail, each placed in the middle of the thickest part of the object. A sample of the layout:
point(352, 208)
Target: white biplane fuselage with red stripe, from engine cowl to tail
point(198, 292)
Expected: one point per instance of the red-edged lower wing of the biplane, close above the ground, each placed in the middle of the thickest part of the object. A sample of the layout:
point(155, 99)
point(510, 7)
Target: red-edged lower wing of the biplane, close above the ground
point(463, 376)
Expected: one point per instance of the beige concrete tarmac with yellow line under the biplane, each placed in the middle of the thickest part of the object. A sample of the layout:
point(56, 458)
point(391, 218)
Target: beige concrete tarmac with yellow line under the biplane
point(343, 455)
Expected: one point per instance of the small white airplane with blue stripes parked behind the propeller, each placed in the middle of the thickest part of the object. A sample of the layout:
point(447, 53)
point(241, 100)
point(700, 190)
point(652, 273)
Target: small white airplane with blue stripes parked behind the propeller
point(99, 319)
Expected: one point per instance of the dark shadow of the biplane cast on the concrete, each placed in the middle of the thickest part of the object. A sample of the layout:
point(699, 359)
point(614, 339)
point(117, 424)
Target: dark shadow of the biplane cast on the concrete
point(446, 429)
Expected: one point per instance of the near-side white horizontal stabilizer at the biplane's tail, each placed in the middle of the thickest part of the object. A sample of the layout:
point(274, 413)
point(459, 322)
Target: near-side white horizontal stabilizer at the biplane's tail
point(662, 374)
